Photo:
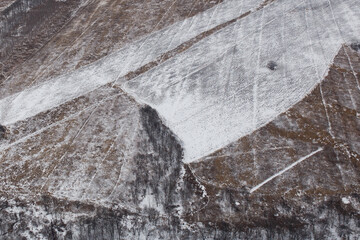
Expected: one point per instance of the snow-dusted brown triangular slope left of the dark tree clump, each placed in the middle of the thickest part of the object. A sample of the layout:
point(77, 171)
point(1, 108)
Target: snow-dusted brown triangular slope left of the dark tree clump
point(92, 155)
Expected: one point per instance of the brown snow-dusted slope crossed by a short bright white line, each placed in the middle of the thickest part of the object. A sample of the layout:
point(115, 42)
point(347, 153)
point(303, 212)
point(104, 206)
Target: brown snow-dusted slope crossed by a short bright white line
point(306, 157)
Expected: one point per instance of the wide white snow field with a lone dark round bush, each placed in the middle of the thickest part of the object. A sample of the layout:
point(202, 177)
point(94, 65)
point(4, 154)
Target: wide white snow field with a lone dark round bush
point(221, 89)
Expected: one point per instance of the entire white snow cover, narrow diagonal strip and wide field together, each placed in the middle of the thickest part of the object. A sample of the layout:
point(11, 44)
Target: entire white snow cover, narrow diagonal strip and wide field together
point(220, 89)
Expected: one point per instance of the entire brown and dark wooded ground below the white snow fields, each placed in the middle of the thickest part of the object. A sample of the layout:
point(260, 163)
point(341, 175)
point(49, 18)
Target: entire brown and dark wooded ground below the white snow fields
point(304, 174)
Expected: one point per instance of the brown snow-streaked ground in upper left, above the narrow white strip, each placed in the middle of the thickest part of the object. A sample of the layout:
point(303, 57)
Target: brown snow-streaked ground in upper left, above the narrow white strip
point(63, 36)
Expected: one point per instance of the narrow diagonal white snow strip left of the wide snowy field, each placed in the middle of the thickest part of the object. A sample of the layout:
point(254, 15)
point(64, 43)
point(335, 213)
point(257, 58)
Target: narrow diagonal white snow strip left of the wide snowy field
point(111, 68)
